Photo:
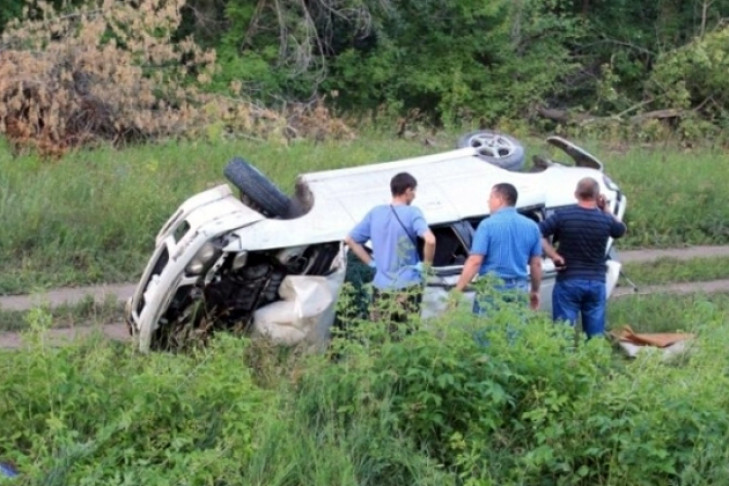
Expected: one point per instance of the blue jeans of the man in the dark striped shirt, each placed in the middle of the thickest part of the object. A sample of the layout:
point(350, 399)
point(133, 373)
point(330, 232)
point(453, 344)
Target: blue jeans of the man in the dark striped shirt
point(574, 296)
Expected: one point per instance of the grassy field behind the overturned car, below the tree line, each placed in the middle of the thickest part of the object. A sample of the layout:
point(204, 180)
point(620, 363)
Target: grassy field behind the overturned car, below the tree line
point(92, 216)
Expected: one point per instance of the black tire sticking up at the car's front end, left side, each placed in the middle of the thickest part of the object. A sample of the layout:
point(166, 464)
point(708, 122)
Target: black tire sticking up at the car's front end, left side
point(257, 188)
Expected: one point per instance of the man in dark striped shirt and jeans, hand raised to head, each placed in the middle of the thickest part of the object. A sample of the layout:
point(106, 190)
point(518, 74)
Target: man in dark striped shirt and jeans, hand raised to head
point(582, 233)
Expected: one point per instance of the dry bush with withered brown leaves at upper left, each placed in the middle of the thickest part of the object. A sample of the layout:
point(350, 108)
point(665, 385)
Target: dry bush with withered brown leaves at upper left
point(112, 72)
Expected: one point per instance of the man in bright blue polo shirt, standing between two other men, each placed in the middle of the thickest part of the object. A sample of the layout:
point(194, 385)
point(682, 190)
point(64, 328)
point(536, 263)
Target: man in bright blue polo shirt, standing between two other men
point(504, 245)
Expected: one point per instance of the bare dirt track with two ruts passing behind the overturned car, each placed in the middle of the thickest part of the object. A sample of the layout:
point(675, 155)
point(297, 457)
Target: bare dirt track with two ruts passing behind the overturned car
point(123, 291)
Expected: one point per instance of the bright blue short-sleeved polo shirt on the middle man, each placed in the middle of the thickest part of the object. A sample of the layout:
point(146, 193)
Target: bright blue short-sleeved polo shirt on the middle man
point(507, 240)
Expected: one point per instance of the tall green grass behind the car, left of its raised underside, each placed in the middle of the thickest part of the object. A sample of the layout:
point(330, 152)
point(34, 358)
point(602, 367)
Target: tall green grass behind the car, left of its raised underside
point(92, 216)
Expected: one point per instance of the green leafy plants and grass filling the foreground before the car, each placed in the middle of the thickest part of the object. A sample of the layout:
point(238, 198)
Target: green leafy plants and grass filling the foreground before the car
point(432, 408)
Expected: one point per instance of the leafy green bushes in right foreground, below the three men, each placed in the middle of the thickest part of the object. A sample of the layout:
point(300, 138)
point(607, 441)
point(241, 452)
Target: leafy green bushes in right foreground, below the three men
point(532, 407)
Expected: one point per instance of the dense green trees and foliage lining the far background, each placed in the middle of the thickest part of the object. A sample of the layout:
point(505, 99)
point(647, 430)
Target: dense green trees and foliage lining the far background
point(658, 66)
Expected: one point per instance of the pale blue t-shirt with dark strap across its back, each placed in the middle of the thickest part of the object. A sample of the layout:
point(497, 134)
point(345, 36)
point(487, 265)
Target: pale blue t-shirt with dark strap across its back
point(393, 248)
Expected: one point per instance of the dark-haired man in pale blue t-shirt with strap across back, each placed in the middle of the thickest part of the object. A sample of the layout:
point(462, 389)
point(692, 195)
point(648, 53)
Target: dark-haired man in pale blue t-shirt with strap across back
point(393, 230)
